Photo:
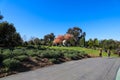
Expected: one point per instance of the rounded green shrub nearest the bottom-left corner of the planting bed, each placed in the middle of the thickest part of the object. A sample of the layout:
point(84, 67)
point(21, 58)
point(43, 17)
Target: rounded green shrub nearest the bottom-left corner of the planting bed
point(11, 64)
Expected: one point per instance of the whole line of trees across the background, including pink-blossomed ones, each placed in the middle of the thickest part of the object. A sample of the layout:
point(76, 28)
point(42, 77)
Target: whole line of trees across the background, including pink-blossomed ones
point(9, 37)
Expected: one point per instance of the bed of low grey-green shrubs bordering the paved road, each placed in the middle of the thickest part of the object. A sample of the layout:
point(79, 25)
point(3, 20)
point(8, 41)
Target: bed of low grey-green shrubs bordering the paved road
point(12, 59)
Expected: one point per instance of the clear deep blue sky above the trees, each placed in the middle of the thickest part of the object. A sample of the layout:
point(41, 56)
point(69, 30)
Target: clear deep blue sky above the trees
point(36, 18)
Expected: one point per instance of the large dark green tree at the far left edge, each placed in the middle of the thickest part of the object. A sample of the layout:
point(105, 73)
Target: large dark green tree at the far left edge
point(8, 35)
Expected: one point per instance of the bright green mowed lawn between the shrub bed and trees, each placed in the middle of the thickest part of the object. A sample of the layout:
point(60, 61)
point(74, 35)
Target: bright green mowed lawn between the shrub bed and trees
point(91, 52)
